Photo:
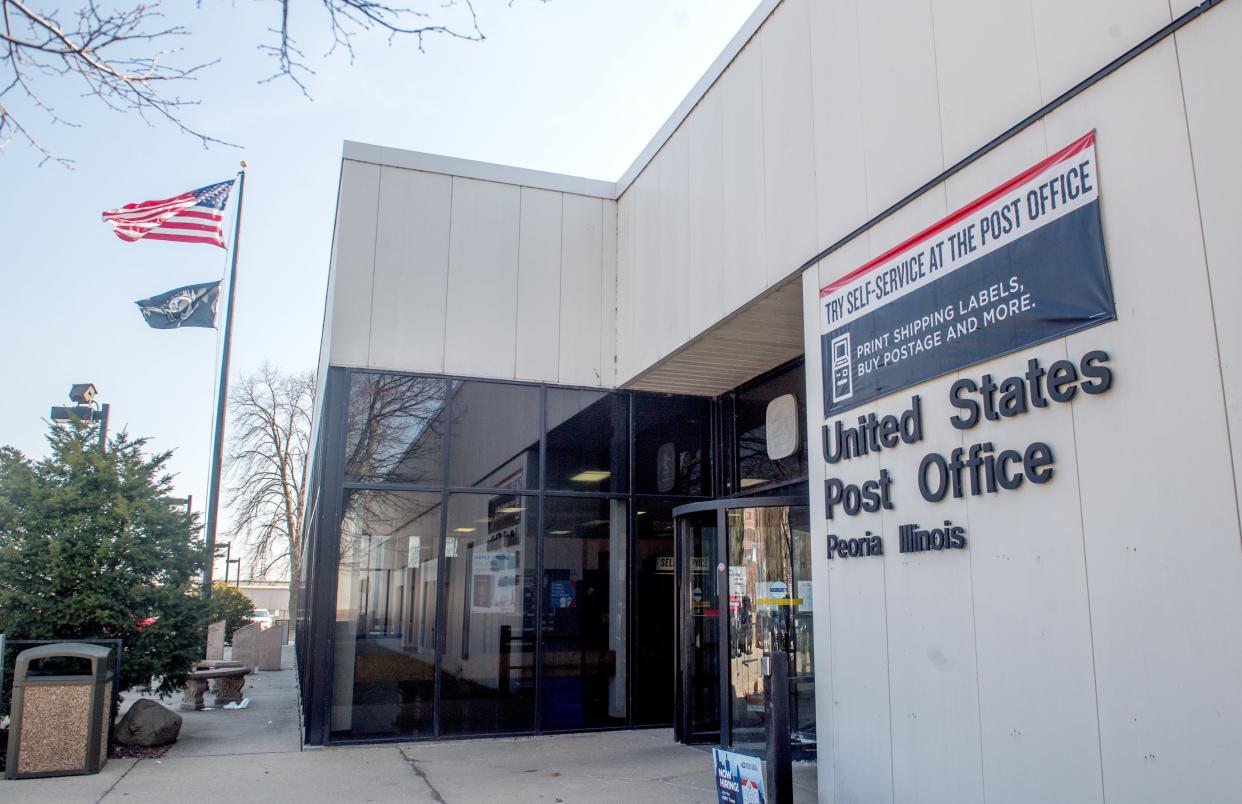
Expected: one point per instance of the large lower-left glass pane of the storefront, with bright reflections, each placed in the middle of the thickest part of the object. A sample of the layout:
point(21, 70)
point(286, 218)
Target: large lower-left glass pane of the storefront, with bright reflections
point(384, 664)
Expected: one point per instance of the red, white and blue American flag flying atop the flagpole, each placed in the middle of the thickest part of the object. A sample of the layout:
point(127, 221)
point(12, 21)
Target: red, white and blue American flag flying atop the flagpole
point(194, 217)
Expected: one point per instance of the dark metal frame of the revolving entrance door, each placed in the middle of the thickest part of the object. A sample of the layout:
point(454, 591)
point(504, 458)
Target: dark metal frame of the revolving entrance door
point(722, 509)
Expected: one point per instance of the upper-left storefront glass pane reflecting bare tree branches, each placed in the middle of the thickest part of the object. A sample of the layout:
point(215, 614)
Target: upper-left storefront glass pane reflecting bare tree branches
point(396, 429)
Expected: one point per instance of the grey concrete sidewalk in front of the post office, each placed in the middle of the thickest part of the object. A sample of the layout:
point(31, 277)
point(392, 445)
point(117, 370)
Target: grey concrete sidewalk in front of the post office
point(255, 755)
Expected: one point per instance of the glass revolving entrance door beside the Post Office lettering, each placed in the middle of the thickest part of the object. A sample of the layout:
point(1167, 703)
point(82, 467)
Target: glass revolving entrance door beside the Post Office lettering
point(745, 590)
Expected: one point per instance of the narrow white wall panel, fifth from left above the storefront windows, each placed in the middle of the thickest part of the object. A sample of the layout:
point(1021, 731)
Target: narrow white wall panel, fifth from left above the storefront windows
point(581, 291)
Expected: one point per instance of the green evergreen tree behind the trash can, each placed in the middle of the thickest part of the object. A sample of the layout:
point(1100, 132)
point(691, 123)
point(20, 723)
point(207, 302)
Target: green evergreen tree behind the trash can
point(91, 547)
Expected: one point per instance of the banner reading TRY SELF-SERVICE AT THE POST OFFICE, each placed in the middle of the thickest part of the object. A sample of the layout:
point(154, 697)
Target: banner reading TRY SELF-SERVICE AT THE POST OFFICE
point(1022, 265)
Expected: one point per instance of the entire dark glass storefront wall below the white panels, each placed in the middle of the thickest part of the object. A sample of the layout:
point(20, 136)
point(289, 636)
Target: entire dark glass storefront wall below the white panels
point(444, 623)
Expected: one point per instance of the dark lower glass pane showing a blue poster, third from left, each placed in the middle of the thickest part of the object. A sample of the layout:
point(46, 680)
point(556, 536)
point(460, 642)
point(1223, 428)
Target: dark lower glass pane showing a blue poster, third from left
point(584, 616)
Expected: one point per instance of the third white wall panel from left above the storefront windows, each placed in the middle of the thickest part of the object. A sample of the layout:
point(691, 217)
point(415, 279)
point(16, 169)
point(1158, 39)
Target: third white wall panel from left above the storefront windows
point(483, 279)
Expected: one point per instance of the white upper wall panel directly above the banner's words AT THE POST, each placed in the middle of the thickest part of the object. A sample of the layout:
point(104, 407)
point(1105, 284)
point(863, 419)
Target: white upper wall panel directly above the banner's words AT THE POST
point(989, 76)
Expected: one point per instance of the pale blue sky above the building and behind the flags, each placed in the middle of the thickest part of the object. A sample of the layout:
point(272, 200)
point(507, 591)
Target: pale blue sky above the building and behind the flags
point(568, 86)
